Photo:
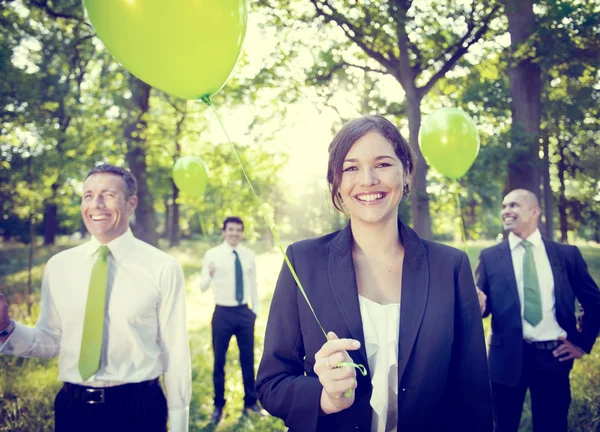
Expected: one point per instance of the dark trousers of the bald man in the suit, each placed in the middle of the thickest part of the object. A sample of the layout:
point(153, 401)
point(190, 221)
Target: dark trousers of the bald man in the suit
point(549, 387)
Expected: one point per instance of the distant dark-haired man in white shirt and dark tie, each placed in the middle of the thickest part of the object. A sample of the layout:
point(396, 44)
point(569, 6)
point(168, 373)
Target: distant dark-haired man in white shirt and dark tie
point(231, 271)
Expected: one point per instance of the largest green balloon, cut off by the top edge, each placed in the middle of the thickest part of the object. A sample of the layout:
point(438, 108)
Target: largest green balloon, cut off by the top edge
point(186, 48)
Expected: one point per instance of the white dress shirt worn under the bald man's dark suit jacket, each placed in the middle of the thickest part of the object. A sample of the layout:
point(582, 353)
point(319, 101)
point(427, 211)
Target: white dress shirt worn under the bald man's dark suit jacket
point(548, 328)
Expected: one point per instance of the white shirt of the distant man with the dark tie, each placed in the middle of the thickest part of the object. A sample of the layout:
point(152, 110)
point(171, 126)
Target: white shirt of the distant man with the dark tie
point(223, 280)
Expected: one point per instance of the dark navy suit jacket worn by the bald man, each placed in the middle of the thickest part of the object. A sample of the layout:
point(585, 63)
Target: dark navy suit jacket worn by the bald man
point(496, 278)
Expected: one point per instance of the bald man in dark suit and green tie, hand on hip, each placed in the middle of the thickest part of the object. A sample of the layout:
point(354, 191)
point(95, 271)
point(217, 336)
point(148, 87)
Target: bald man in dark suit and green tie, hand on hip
point(529, 285)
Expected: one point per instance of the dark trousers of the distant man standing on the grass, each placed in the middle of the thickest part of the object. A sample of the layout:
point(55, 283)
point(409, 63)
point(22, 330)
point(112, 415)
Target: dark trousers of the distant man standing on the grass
point(227, 322)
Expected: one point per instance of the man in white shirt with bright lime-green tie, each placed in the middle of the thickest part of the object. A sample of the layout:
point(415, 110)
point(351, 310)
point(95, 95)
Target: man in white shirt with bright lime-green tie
point(113, 310)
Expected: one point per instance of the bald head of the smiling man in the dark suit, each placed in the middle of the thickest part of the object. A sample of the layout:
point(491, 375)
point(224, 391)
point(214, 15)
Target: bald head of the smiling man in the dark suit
point(520, 212)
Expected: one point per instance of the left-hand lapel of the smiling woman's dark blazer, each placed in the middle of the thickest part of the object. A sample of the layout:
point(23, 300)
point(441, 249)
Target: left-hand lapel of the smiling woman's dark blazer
point(342, 280)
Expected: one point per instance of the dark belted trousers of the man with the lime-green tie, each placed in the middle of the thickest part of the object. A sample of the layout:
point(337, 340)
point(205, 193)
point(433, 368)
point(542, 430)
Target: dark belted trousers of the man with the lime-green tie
point(125, 408)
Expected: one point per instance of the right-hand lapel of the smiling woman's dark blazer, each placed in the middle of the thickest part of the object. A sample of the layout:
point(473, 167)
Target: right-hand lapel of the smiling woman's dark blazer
point(415, 290)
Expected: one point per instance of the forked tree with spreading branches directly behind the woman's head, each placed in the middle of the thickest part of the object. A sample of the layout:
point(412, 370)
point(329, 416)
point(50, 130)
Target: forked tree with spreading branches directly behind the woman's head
point(416, 43)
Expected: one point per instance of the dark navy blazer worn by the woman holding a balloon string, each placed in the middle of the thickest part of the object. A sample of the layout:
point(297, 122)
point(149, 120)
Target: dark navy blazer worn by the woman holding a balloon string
point(442, 369)
